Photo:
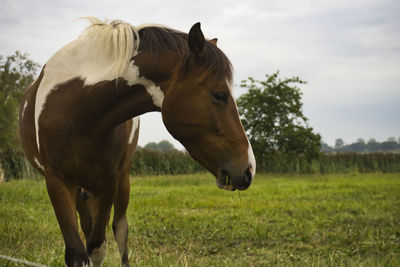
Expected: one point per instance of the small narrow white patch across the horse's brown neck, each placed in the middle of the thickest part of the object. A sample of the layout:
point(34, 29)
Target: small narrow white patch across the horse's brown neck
point(132, 76)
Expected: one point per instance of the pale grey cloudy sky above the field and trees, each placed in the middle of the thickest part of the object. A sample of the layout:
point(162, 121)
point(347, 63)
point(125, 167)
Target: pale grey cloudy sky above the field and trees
point(348, 51)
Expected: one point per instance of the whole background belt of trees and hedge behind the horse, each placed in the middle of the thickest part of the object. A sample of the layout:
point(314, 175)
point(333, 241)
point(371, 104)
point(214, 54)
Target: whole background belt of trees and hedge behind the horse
point(270, 111)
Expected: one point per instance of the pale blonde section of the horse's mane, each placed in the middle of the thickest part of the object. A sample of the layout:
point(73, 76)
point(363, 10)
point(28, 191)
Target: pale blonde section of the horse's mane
point(117, 41)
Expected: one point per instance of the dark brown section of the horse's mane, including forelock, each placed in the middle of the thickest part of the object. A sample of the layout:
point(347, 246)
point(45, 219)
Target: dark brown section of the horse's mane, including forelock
point(159, 39)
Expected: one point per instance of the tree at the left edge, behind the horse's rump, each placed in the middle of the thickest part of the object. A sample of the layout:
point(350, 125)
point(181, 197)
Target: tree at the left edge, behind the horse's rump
point(16, 74)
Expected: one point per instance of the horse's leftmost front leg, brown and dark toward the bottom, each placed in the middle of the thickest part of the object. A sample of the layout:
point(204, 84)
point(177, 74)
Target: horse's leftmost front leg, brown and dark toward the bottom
point(62, 196)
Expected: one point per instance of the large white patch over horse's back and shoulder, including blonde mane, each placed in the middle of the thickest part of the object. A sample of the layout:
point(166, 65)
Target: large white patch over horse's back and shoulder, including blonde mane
point(101, 53)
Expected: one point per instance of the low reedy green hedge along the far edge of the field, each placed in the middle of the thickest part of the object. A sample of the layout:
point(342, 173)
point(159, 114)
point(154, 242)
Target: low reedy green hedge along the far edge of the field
point(146, 162)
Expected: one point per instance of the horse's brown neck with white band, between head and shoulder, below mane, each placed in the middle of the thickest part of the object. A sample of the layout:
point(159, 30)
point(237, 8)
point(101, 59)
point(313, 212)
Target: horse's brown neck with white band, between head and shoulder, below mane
point(140, 90)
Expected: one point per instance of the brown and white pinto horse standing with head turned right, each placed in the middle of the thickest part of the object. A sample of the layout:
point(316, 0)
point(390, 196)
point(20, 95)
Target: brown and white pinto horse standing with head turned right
point(79, 122)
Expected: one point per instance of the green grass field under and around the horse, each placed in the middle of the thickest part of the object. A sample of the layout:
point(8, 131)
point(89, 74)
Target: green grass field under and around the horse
point(351, 220)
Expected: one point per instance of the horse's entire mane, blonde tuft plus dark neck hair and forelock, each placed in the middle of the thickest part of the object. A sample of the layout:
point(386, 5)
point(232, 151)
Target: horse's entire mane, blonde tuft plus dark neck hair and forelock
point(121, 41)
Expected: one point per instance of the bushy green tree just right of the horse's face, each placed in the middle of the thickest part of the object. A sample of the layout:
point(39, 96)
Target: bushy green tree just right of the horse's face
point(271, 112)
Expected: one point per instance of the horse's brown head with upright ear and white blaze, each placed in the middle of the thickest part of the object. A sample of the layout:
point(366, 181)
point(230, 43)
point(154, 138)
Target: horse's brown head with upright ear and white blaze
point(200, 111)
